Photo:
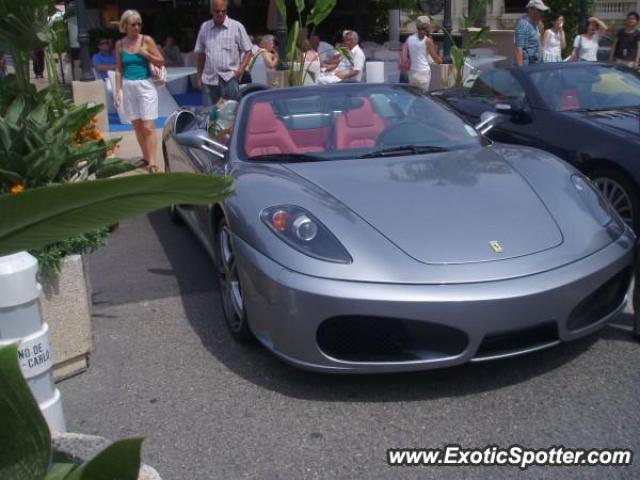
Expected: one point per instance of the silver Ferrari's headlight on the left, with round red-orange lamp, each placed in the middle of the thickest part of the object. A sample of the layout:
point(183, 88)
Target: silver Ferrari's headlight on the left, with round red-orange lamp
point(305, 233)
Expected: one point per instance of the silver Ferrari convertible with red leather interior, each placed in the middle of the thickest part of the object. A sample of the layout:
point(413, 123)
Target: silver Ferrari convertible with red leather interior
point(374, 230)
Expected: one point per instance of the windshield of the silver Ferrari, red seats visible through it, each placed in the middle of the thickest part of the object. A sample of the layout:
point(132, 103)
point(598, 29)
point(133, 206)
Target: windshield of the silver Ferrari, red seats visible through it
point(347, 121)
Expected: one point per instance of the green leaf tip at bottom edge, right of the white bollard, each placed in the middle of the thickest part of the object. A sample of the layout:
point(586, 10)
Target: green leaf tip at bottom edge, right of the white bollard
point(119, 461)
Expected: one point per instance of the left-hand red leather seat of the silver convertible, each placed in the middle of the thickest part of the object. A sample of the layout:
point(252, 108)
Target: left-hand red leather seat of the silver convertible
point(266, 133)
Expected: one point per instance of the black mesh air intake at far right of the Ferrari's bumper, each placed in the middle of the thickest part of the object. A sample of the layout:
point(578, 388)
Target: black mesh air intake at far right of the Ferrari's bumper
point(600, 303)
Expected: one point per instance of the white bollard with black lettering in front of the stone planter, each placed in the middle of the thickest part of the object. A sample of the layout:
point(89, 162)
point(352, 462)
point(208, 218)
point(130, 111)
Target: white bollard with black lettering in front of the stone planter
point(21, 321)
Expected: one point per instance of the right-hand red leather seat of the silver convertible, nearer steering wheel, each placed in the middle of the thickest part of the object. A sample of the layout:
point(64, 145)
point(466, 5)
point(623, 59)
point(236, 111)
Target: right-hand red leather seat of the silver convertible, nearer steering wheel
point(358, 128)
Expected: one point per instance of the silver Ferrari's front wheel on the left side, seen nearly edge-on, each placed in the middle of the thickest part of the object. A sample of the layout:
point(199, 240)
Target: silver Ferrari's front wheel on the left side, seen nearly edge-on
point(233, 305)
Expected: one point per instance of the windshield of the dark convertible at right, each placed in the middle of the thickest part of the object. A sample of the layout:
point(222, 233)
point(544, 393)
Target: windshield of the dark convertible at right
point(588, 87)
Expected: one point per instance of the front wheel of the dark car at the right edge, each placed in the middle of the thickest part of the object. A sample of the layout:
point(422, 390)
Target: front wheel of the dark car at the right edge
point(621, 193)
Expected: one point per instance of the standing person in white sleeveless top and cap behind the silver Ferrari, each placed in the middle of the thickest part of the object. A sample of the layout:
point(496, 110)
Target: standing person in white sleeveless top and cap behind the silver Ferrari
point(422, 53)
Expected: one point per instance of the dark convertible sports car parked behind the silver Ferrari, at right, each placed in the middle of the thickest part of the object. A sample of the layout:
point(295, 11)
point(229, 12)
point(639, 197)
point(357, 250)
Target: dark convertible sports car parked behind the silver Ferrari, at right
point(585, 113)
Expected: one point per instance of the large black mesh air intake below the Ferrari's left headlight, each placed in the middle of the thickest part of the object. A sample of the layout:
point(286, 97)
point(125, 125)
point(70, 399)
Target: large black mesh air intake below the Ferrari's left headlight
point(377, 339)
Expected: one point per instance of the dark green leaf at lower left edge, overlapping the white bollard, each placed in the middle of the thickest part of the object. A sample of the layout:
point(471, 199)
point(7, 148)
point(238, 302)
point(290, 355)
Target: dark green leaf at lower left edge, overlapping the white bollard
point(24, 435)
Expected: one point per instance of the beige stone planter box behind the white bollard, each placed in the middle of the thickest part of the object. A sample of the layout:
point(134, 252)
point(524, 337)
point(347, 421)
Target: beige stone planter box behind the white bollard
point(66, 307)
